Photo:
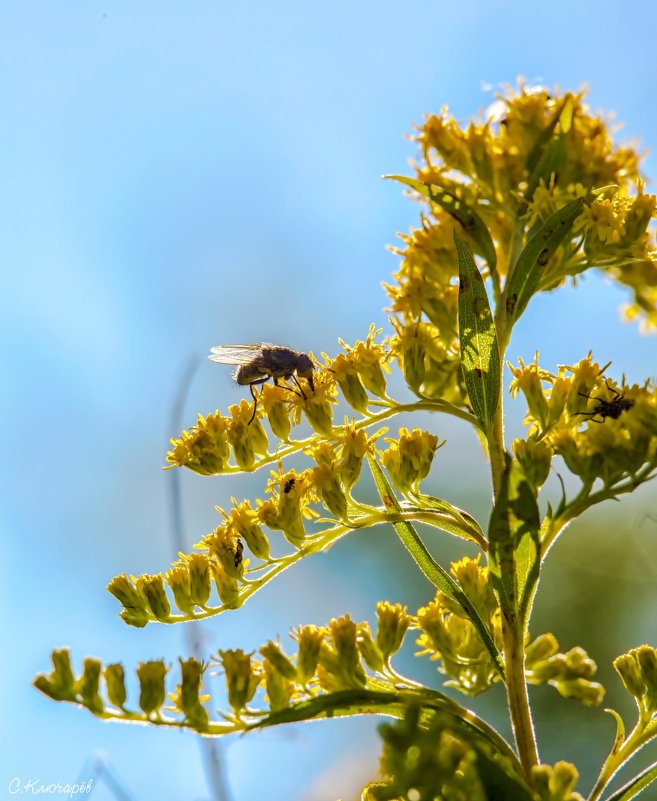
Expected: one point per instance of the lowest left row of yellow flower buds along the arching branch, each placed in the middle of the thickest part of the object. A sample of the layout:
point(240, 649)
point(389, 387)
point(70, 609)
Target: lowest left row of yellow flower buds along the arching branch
point(329, 658)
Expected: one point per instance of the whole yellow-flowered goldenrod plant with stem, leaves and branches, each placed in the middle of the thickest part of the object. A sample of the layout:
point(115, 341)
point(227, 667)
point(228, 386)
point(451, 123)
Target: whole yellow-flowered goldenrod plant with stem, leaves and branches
point(523, 201)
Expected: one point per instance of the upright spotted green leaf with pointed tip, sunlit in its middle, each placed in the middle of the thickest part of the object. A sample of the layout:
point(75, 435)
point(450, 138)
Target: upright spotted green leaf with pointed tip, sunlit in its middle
point(480, 357)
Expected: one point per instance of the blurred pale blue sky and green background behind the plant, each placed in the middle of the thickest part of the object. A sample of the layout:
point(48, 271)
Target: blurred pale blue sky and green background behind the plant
point(181, 175)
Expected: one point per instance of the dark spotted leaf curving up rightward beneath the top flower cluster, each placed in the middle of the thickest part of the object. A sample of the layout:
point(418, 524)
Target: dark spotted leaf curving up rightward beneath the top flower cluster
point(527, 272)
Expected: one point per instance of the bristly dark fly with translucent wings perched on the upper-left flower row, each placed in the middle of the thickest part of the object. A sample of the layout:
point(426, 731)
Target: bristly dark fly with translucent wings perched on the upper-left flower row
point(258, 363)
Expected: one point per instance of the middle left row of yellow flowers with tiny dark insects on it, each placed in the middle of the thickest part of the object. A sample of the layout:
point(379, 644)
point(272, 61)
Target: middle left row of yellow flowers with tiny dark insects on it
point(291, 502)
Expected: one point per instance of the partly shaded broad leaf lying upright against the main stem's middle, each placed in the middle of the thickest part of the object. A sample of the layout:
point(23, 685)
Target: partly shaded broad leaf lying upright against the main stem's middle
point(514, 543)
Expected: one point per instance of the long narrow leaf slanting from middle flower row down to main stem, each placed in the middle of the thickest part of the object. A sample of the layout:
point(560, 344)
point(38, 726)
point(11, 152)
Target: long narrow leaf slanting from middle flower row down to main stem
point(437, 575)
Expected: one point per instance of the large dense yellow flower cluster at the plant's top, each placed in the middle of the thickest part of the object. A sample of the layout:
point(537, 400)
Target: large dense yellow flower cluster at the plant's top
point(531, 154)
